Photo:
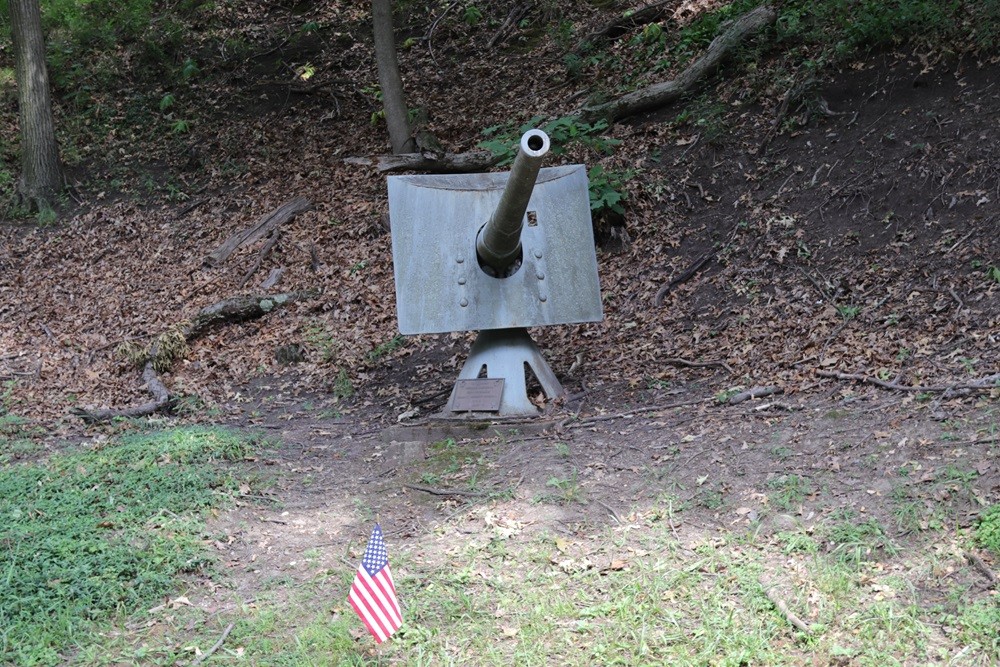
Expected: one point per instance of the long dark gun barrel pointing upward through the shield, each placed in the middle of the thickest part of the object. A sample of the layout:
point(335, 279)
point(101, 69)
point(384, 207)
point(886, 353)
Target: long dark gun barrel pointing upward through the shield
point(499, 241)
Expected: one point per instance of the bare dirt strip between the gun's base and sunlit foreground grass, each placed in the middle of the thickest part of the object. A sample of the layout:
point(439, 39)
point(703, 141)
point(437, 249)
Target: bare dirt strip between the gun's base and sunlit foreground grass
point(910, 468)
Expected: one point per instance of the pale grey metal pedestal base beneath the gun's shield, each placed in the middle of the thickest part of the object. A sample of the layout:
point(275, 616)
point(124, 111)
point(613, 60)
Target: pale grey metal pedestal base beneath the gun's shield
point(504, 353)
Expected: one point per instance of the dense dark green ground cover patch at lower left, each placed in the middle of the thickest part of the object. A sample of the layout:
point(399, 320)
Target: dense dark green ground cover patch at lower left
point(88, 536)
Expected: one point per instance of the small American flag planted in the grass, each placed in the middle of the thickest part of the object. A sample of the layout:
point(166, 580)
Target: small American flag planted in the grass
point(373, 595)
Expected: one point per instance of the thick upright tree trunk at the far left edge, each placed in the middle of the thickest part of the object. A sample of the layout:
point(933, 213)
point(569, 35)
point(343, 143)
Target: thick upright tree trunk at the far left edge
point(41, 175)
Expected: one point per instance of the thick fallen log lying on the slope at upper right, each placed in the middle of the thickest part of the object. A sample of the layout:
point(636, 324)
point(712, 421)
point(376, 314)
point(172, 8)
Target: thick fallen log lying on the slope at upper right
point(663, 93)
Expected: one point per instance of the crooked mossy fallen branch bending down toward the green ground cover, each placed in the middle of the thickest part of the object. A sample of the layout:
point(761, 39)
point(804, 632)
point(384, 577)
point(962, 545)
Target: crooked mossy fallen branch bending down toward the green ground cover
point(227, 311)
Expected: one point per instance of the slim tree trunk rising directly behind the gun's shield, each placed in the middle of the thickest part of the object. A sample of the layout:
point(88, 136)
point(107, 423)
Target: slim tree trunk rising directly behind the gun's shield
point(393, 100)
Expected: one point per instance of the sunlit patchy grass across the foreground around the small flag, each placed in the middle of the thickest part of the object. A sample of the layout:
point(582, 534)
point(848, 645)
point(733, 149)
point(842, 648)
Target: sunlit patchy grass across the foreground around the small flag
point(489, 589)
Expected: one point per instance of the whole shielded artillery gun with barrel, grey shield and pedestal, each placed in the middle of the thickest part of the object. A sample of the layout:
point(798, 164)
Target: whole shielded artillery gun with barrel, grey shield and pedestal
point(496, 253)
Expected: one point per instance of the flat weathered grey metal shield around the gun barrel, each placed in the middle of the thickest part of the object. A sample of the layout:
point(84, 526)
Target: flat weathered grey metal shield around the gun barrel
point(439, 284)
